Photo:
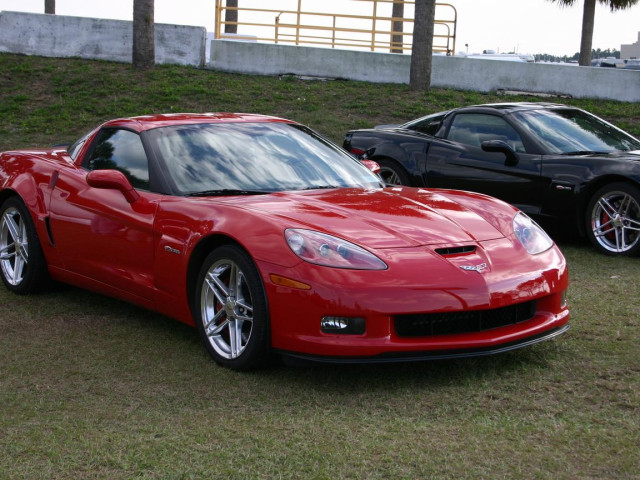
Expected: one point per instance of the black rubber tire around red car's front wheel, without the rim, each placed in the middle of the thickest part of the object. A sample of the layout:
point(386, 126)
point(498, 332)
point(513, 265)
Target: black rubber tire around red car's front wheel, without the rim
point(256, 351)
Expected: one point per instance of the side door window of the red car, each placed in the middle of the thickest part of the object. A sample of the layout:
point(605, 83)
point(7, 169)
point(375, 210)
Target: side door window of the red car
point(121, 150)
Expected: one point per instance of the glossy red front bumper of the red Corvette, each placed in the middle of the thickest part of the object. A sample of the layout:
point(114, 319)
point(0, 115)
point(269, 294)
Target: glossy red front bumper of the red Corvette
point(380, 297)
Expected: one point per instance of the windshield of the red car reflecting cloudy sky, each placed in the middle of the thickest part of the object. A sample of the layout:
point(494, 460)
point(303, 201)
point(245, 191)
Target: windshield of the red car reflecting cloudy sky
point(246, 158)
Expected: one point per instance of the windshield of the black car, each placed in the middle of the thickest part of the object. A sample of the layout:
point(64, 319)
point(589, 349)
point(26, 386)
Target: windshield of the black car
point(572, 131)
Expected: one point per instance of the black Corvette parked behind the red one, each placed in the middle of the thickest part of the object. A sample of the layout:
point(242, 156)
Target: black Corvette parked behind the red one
point(559, 164)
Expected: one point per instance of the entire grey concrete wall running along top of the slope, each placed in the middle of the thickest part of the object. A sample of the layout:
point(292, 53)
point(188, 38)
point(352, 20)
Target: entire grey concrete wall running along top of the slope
point(64, 36)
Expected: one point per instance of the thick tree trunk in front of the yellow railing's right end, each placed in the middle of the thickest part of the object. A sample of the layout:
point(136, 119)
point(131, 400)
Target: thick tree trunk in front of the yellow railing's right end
point(422, 50)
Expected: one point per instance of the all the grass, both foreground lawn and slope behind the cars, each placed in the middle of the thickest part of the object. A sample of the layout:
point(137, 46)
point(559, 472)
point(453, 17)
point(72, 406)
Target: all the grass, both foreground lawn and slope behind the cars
point(93, 388)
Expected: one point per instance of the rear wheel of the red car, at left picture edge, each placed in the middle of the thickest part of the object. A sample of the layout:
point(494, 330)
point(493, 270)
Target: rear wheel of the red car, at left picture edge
point(22, 264)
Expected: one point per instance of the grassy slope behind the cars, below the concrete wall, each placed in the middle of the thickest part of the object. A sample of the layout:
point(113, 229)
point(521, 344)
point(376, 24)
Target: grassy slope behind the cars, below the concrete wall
point(49, 101)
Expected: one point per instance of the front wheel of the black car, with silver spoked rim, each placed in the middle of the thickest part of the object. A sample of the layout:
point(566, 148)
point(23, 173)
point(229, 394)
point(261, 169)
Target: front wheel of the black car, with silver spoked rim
point(613, 219)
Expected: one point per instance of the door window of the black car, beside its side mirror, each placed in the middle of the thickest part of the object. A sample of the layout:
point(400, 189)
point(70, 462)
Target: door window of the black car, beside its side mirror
point(474, 128)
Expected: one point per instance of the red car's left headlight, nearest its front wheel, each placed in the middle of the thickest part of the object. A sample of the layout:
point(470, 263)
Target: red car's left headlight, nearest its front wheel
point(329, 251)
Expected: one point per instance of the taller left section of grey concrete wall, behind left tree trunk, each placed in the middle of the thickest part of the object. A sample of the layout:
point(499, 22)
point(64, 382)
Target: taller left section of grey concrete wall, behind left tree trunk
point(64, 36)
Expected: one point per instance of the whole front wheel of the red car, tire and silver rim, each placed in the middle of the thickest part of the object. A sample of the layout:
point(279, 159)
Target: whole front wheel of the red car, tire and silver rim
point(233, 322)
